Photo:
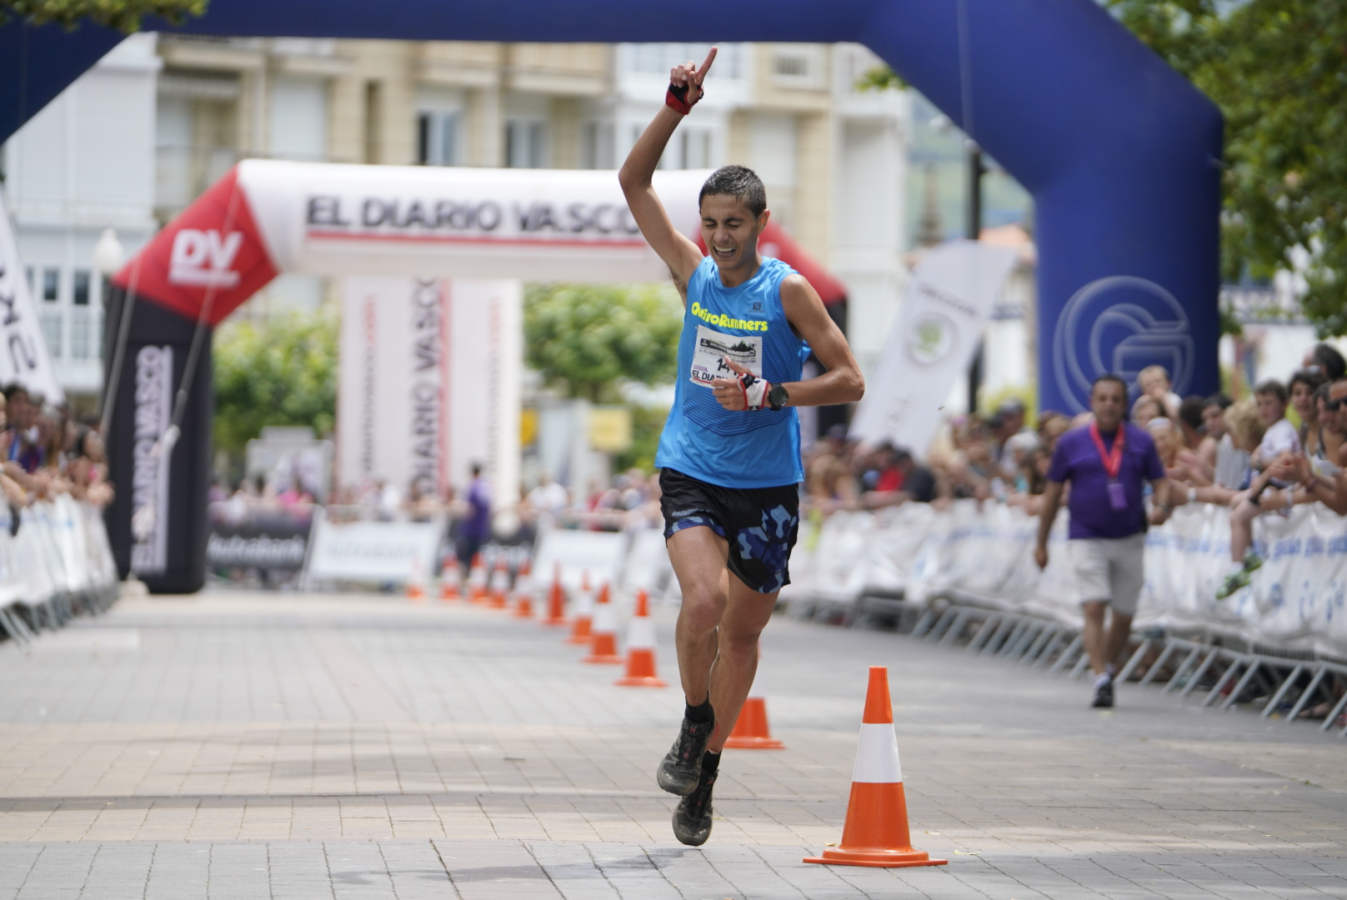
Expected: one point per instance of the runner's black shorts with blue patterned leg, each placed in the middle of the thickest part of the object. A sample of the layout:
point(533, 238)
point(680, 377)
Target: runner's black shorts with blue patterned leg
point(759, 523)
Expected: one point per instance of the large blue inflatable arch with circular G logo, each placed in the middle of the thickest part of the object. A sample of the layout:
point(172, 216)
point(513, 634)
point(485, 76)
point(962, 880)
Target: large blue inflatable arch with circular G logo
point(1120, 153)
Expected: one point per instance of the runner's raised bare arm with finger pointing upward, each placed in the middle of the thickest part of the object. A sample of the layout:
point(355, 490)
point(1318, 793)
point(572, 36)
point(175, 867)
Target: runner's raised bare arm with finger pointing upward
point(676, 249)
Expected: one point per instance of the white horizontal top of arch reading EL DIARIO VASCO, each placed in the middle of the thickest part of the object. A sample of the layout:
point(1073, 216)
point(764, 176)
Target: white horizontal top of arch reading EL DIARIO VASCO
point(464, 223)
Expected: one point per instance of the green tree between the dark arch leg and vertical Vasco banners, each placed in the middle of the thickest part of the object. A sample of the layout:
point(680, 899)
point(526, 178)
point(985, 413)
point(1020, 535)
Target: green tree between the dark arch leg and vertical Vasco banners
point(280, 373)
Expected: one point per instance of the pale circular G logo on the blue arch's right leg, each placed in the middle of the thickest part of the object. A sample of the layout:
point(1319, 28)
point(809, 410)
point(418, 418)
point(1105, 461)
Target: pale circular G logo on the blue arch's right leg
point(1120, 324)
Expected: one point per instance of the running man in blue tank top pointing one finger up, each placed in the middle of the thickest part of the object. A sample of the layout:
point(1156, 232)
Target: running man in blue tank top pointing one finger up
point(729, 456)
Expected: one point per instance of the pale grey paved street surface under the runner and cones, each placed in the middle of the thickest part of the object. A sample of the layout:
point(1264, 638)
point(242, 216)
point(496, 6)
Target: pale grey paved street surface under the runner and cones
point(254, 746)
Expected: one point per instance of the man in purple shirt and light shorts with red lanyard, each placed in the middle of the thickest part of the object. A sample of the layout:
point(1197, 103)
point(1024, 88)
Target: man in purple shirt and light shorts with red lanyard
point(1107, 464)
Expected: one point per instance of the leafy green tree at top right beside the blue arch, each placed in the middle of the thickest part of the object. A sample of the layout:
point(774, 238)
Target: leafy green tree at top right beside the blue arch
point(1276, 68)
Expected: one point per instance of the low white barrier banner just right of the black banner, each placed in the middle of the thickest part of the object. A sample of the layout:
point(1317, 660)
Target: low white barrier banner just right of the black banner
point(374, 552)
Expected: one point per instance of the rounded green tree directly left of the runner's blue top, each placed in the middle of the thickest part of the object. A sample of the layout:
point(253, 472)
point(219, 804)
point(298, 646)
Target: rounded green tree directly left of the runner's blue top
point(588, 340)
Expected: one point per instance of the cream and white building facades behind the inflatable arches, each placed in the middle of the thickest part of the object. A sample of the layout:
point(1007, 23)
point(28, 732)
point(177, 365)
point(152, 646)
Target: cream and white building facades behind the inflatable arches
point(164, 117)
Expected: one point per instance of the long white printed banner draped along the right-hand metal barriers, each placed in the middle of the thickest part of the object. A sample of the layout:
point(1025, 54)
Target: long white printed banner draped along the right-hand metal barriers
point(1296, 602)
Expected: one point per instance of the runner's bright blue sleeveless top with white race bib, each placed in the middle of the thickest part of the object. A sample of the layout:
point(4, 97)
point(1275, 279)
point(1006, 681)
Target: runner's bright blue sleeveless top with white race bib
point(750, 449)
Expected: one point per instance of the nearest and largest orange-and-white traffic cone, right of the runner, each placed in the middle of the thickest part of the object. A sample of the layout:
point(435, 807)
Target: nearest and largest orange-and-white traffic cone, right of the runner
point(876, 831)
